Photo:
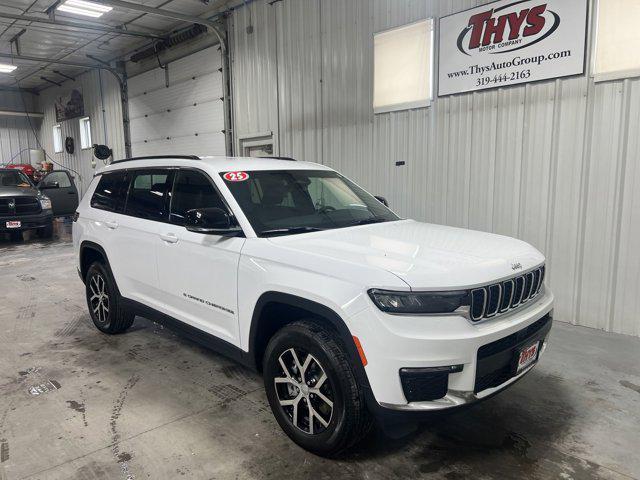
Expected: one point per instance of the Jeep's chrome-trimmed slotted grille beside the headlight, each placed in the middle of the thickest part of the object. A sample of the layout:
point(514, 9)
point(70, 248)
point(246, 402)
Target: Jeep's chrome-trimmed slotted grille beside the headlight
point(498, 298)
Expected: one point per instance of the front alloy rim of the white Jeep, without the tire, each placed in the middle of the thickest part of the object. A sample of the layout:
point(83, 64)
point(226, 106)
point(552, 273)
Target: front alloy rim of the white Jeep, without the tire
point(304, 392)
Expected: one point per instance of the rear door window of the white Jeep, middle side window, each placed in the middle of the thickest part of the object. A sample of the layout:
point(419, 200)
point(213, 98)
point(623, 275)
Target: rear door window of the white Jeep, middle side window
point(148, 192)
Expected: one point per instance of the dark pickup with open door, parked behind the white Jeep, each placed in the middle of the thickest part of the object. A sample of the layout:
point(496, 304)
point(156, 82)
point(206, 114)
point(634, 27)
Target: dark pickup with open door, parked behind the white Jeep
point(23, 206)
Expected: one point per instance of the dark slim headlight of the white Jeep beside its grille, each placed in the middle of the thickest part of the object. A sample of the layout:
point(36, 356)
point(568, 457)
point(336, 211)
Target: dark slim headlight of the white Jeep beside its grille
point(419, 302)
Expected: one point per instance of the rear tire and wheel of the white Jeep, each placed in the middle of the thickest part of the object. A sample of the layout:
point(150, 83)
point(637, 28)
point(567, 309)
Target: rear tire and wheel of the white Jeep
point(114, 318)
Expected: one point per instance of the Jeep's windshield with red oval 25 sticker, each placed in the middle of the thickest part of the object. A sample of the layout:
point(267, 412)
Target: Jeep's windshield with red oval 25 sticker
point(282, 202)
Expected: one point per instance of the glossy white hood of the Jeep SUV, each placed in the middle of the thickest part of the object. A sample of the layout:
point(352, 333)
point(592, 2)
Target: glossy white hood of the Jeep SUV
point(425, 256)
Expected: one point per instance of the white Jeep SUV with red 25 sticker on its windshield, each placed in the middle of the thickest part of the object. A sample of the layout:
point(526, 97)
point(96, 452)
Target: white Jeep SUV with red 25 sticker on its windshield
point(350, 312)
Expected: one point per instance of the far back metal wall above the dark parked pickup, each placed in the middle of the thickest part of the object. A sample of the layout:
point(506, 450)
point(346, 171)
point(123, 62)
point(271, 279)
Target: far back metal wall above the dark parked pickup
point(16, 136)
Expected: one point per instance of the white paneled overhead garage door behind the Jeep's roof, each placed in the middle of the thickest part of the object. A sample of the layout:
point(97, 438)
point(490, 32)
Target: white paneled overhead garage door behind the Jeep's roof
point(178, 110)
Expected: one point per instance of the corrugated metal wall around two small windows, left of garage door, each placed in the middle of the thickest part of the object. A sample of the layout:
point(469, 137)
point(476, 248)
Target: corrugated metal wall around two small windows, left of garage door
point(102, 105)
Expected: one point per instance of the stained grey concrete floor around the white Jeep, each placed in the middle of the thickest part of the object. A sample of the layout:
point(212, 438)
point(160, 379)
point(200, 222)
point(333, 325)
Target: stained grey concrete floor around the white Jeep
point(77, 404)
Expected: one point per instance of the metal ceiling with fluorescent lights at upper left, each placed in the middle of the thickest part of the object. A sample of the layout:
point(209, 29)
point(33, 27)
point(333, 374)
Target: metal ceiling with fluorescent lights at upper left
point(78, 45)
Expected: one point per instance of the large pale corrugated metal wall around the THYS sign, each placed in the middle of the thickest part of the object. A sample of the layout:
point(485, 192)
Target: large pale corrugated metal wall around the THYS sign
point(554, 163)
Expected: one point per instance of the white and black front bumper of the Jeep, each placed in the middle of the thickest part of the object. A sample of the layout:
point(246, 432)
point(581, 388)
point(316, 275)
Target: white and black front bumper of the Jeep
point(396, 343)
